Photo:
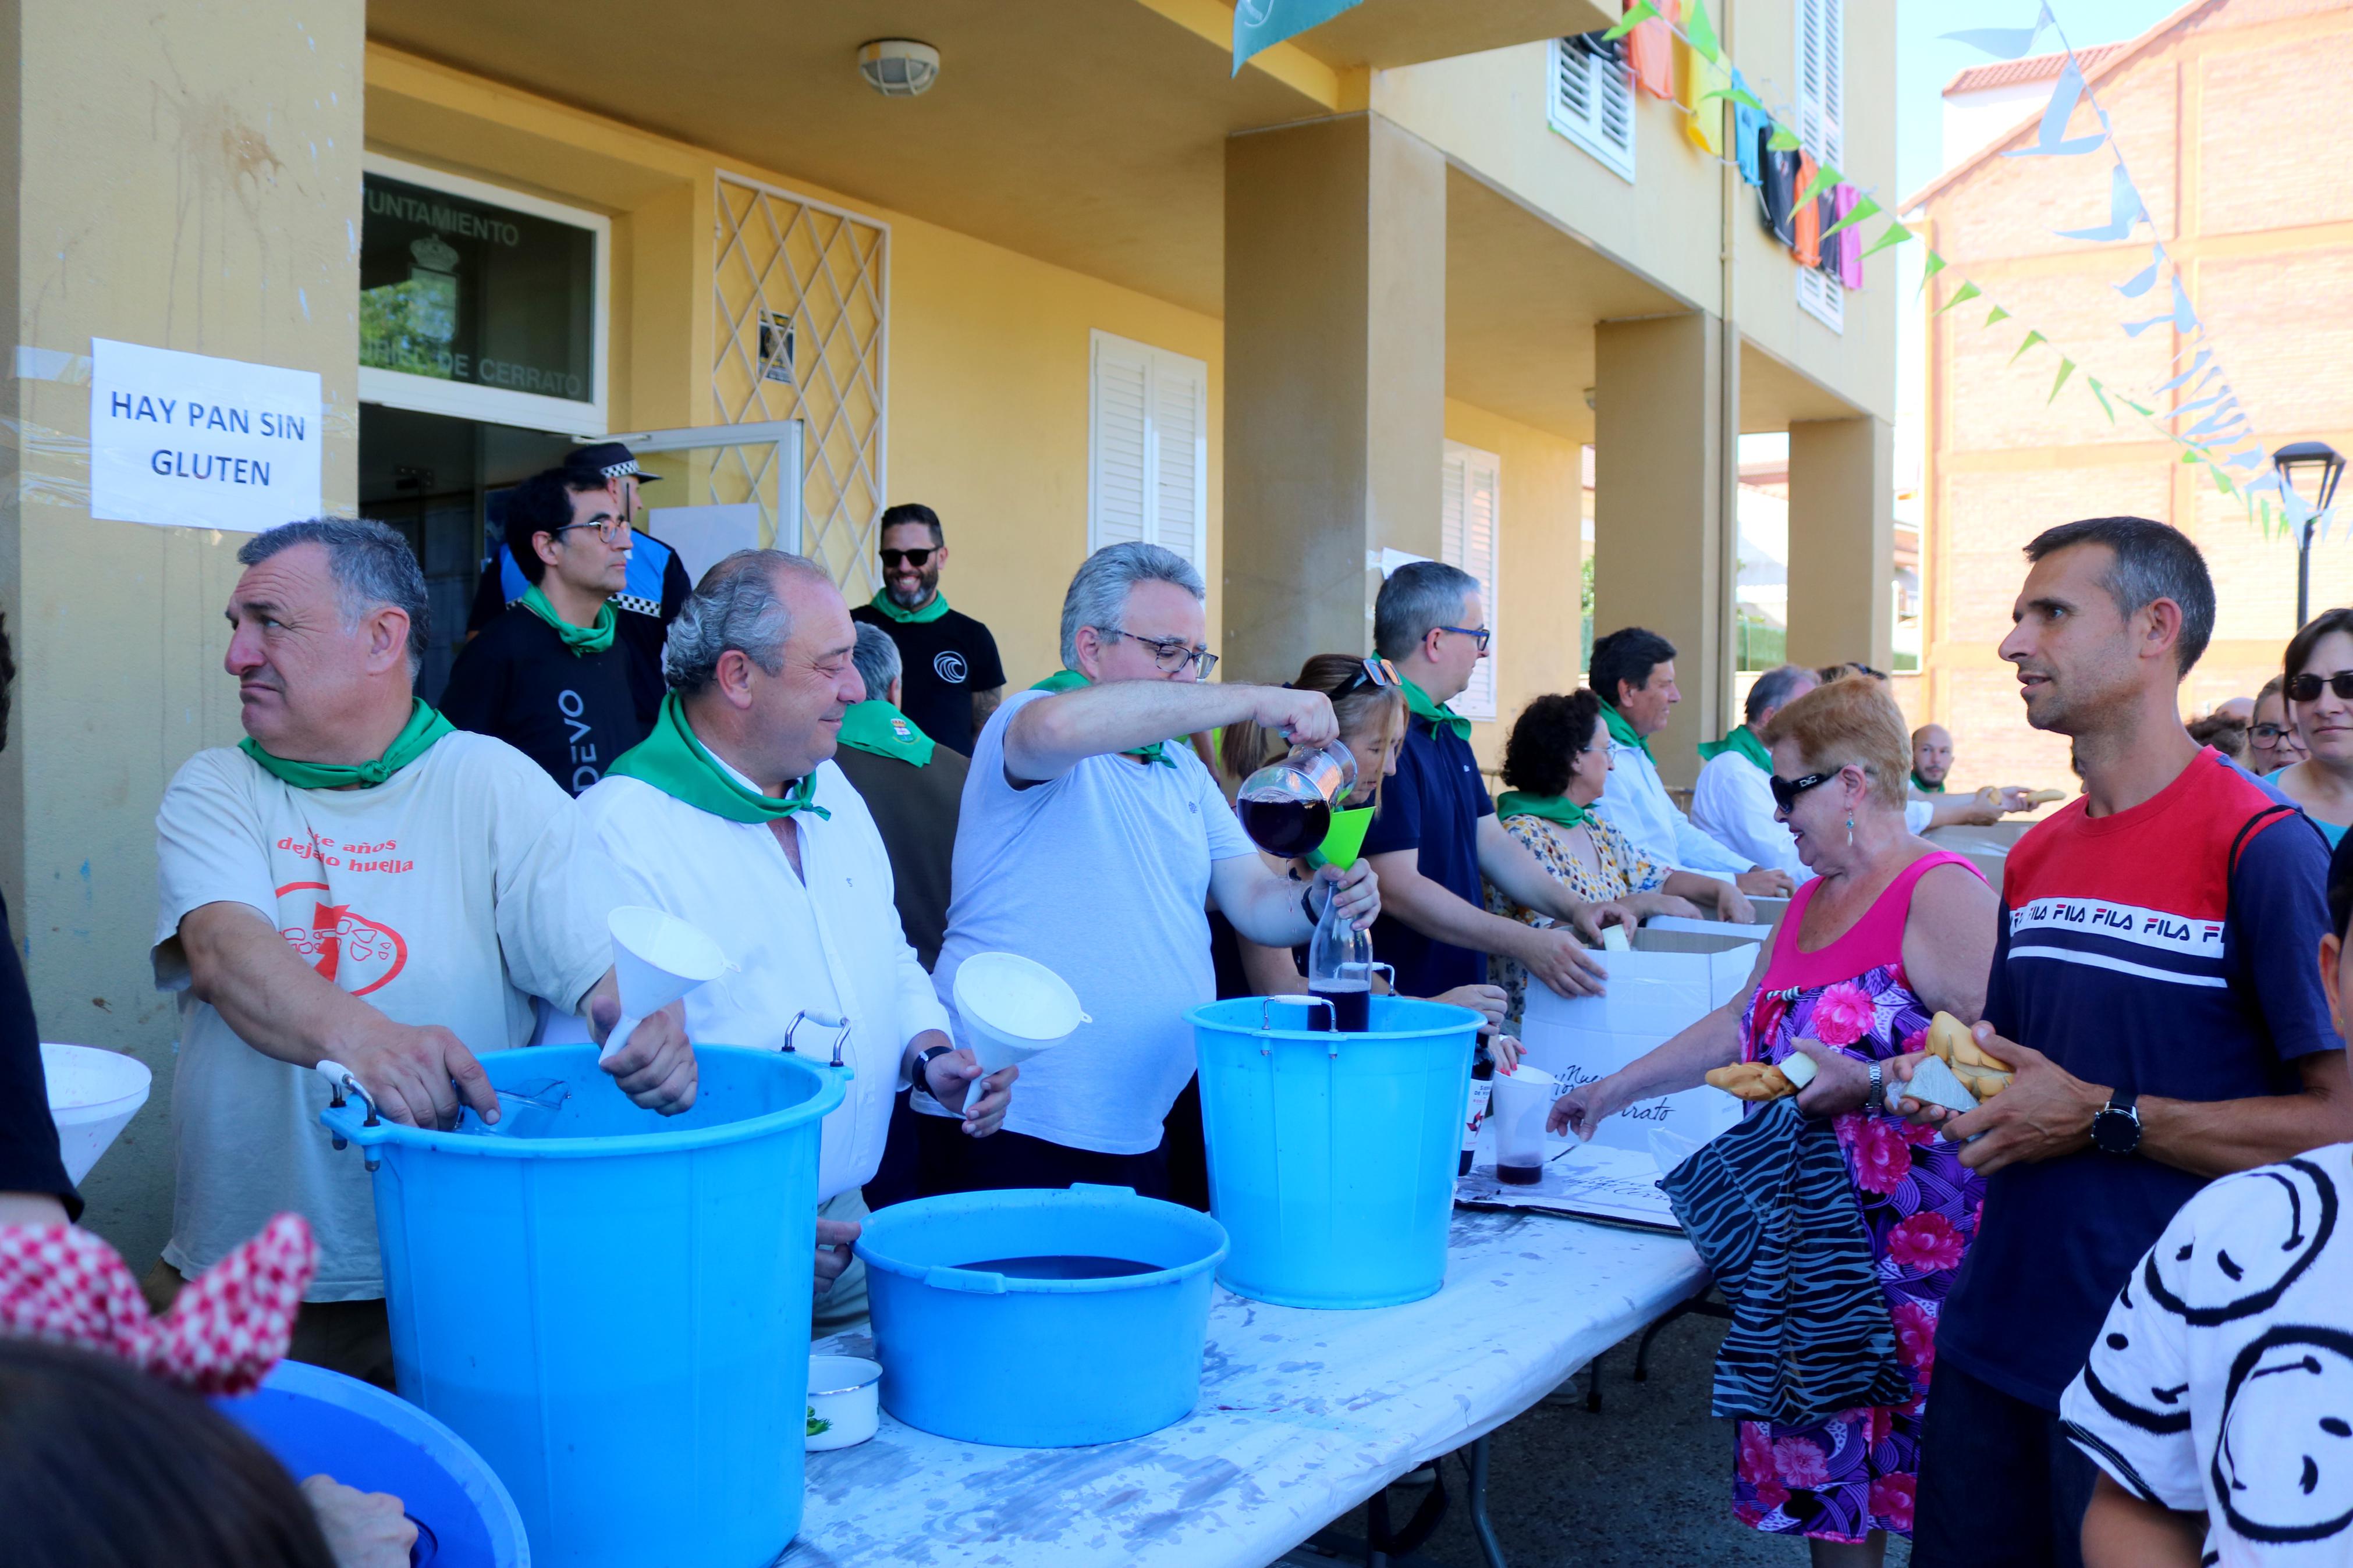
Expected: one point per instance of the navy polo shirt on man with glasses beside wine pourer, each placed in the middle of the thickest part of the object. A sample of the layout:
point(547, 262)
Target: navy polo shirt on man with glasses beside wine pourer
point(1432, 805)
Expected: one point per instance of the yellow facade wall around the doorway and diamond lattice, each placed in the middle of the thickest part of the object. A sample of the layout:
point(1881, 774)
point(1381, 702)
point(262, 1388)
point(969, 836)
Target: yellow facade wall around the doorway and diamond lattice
point(989, 351)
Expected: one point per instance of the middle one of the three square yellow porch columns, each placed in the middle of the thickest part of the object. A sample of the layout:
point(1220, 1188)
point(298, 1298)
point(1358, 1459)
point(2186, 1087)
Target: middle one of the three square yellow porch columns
point(1658, 514)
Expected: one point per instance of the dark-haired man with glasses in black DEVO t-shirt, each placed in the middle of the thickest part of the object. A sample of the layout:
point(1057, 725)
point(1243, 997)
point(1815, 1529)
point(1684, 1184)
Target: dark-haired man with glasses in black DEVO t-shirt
point(552, 674)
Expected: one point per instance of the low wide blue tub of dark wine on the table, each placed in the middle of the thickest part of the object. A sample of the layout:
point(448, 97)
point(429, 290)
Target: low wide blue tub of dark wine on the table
point(1039, 1358)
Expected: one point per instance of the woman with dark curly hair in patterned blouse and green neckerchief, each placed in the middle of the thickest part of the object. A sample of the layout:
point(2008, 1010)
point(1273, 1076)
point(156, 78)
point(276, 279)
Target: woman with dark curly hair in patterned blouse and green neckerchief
point(1557, 765)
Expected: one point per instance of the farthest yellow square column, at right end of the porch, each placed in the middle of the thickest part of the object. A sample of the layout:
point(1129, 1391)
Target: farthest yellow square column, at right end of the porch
point(1841, 542)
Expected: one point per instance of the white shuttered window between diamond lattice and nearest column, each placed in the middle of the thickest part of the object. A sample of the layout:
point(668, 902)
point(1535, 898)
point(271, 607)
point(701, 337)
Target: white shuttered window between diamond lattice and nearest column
point(1149, 448)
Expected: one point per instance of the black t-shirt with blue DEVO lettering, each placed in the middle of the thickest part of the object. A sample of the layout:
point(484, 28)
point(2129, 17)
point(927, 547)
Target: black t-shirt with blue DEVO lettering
point(571, 713)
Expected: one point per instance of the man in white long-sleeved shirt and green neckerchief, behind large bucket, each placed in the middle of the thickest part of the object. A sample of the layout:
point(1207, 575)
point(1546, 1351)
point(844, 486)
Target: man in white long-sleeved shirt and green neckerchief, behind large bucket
point(735, 819)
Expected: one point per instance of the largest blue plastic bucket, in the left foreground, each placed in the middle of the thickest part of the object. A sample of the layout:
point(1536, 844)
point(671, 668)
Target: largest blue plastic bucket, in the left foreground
point(613, 1306)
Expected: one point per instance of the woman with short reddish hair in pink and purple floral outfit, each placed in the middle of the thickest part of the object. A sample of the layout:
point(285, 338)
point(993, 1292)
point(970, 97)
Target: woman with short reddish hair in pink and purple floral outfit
point(1888, 934)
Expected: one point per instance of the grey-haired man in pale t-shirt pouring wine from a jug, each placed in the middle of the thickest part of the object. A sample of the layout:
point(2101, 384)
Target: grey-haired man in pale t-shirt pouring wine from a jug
point(1091, 843)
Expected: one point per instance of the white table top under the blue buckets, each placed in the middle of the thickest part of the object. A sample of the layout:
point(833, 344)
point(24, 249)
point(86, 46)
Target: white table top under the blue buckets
point(1302, 1416)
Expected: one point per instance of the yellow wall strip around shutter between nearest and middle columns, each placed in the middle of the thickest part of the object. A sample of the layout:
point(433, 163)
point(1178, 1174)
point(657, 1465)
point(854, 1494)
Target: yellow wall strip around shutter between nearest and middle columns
point(1540, 556)
